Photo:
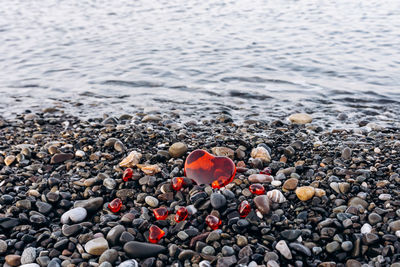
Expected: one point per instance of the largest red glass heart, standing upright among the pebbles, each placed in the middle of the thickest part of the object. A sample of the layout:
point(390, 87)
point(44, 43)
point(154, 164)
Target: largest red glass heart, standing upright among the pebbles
point(204, 168)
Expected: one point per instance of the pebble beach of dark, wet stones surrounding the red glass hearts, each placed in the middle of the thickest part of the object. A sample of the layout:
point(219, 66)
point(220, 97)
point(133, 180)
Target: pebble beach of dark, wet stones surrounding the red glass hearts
point(354, 221)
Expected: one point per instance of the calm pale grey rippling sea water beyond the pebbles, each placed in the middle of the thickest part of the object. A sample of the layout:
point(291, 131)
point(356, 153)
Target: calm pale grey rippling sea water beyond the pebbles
point(249, 58)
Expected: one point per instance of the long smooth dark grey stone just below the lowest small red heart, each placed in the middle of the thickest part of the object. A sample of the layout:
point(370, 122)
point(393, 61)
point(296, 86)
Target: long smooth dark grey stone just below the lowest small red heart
point(135, 249)
